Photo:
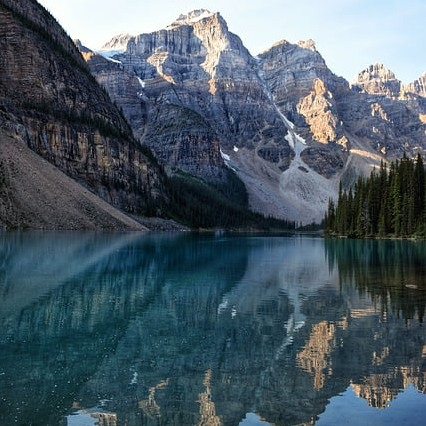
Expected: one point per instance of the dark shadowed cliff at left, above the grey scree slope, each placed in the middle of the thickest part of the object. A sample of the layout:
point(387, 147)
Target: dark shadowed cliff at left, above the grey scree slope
point(49, 99)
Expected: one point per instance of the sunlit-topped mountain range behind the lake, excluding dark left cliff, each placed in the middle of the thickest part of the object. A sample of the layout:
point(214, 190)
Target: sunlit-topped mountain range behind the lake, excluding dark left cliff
point(282, 121)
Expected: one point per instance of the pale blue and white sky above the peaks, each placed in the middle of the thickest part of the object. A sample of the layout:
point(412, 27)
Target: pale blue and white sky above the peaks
point(349, 34)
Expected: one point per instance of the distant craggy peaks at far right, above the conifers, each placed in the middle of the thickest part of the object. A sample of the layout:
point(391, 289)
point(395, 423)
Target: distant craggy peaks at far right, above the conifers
point(384, 117)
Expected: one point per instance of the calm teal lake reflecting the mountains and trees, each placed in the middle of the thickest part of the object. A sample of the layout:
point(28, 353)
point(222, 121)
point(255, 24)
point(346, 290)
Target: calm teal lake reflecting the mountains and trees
point(144, 329)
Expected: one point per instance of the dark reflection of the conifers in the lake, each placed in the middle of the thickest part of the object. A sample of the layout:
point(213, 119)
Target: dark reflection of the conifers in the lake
point(393, 273)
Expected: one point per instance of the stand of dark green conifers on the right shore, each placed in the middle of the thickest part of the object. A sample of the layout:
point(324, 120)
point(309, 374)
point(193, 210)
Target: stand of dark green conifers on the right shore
point(391, 202)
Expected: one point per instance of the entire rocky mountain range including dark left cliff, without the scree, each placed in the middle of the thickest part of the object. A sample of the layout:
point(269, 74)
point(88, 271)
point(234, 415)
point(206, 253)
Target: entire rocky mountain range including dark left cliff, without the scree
point(282, 123)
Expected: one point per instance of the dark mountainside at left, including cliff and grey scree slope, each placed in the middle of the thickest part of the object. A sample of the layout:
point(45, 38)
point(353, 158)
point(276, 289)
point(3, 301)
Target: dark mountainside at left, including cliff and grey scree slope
point(51, 104)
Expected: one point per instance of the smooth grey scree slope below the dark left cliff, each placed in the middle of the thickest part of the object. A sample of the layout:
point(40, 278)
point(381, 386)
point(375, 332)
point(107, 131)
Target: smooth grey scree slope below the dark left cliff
point(36, 194)
